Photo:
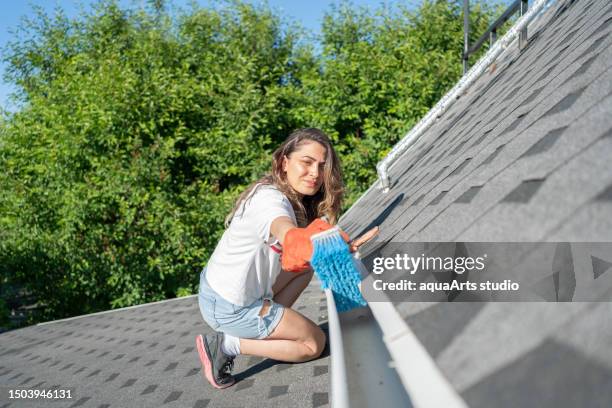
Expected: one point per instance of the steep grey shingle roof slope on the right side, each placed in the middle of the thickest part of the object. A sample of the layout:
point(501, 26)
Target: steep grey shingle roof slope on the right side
point(525, 155)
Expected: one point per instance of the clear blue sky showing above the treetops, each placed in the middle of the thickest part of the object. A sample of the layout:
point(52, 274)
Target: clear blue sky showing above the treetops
point(308, 13)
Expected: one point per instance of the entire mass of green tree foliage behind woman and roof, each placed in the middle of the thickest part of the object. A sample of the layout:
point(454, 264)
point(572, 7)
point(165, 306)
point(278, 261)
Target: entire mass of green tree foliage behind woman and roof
point(137, 131)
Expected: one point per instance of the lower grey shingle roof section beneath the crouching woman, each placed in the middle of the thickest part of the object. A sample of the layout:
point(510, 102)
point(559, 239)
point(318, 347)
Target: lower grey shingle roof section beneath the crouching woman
point(146, 357)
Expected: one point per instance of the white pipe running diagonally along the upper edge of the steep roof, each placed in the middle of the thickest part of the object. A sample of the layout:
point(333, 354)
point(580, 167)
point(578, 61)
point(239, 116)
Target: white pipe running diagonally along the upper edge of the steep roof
point(449, 99)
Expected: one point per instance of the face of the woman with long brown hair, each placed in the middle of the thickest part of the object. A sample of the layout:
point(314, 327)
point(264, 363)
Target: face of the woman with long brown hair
point(304, 168)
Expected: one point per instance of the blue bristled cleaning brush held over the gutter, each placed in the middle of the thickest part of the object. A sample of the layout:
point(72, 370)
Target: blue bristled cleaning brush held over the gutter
point(333, 263)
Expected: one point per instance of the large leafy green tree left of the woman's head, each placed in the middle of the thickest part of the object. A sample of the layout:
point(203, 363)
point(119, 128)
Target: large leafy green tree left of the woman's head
point(135, 135)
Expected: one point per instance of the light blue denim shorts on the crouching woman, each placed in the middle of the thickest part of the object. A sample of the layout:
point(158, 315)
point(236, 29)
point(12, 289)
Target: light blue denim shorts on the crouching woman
point(238, 321)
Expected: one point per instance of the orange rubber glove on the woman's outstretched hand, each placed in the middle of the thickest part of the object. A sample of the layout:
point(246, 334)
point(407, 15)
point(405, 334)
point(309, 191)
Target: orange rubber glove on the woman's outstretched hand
point(297, 248)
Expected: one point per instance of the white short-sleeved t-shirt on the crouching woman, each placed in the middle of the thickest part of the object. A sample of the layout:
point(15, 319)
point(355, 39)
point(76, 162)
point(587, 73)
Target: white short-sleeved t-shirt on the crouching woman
point(244, 265)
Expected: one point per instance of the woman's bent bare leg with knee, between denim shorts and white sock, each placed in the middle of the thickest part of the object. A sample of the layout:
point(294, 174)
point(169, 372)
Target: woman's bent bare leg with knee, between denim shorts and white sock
point(295, 339)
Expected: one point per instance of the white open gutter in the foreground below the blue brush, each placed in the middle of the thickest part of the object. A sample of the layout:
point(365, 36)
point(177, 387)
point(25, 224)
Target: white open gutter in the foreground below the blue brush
point(416, 380)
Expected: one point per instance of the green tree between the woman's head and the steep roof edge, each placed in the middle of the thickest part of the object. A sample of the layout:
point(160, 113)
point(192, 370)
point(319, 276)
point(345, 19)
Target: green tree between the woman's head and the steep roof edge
point(380, 73)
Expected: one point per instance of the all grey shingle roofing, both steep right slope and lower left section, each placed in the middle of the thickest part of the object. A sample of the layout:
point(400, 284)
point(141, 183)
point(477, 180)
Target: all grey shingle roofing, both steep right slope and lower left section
point(522, 156)
